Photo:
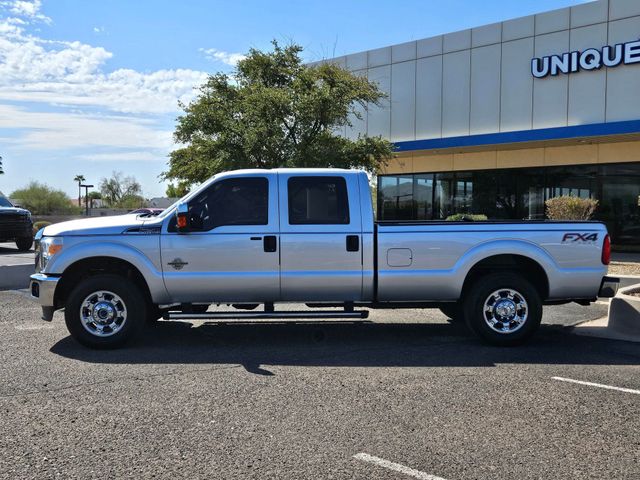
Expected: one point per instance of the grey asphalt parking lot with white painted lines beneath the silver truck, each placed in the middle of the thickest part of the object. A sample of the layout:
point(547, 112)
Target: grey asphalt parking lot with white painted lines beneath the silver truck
point(406, 395)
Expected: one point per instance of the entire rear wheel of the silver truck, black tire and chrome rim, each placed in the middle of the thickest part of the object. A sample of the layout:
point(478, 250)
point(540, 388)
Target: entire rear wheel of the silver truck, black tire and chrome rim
point(526, 300)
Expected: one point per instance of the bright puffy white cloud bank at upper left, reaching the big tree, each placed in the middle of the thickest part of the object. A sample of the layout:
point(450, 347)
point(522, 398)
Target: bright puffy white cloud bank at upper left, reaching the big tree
point(72, 73)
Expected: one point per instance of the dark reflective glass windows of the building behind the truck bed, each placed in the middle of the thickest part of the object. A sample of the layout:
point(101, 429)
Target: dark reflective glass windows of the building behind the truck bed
point(517, 194)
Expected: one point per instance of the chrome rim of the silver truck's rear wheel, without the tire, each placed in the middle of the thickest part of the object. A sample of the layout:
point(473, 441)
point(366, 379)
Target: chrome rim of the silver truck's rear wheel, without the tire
point(505, 310)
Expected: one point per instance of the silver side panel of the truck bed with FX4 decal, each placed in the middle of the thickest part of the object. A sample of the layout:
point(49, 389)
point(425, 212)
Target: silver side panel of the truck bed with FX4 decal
point(442, 255)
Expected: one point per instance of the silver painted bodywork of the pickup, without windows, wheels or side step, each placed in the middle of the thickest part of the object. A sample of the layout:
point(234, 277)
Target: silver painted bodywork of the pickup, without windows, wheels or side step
point(415, 262)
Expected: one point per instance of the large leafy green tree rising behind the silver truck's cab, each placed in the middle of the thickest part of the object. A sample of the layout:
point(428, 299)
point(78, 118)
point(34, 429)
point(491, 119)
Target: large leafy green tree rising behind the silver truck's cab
point(275, 111)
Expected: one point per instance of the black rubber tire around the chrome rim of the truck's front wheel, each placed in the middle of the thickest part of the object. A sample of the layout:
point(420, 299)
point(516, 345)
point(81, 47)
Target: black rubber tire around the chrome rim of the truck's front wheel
point(131, 298)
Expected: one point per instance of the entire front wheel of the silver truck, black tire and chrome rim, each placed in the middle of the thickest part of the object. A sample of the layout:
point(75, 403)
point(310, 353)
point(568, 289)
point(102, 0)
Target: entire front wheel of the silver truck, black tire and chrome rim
point(105, 311)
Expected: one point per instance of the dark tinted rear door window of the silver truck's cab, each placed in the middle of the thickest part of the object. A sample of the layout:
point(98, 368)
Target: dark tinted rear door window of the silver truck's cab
point(318, 201)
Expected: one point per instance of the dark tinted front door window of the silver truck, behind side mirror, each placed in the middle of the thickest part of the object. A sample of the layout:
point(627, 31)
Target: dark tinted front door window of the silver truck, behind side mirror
point(235, 201)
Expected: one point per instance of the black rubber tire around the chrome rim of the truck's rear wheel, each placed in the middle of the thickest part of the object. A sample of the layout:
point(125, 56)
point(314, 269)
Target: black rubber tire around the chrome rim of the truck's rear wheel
point(474, 308)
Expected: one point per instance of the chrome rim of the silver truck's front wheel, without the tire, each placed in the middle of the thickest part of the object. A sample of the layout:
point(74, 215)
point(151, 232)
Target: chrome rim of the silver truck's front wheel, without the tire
point(103, 313)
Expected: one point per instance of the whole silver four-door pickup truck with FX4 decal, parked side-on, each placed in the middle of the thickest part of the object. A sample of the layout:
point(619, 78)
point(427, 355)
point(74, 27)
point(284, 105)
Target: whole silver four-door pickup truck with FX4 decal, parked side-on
point(260, 237)
